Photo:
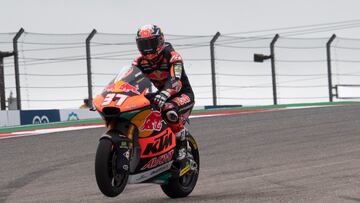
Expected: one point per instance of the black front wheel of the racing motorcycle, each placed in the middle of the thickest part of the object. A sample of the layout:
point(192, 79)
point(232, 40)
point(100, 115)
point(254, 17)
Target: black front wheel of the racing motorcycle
point(108, 180)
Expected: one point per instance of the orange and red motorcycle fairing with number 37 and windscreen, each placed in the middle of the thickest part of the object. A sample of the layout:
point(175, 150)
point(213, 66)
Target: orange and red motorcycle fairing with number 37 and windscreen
point(152, 140)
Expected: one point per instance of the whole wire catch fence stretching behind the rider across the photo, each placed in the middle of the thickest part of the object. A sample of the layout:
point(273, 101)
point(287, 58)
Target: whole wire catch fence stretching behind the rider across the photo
point(61, 70)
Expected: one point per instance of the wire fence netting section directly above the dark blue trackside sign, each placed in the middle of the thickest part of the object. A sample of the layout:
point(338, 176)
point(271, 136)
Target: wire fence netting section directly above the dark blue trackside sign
point(52, 70)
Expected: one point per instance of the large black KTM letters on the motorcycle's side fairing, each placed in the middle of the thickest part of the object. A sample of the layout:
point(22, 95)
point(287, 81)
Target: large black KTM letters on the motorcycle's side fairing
point(160, 144)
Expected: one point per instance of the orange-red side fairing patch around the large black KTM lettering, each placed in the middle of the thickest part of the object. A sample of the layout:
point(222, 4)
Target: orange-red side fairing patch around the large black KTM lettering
point(156, 145)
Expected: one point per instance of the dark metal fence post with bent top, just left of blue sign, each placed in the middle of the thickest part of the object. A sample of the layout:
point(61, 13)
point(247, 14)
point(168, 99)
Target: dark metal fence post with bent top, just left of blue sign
point(16, 66)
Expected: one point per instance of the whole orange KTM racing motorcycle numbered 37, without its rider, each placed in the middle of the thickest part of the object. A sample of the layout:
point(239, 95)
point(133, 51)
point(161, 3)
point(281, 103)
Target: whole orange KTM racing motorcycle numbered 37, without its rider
point(139, 146)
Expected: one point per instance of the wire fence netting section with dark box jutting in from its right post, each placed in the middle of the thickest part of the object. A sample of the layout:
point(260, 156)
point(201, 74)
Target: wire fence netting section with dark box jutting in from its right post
point(238, 79)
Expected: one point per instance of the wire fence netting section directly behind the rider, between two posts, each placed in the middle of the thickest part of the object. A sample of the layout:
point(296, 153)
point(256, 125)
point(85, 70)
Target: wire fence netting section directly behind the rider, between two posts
point(111, 52)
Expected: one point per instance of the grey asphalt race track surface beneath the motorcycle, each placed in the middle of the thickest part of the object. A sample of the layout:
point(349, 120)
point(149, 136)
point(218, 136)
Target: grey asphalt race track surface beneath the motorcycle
point(302, 155)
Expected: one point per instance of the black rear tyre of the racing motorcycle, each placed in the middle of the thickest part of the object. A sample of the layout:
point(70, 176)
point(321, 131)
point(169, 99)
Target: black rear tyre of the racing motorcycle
point(184, 185)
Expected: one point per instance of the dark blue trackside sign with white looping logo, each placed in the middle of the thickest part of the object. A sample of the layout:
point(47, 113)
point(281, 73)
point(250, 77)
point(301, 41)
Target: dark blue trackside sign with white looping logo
point(39, 116)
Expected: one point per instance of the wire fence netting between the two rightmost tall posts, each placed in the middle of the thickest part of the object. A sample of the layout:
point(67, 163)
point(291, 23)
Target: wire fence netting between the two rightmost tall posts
point(301, 70)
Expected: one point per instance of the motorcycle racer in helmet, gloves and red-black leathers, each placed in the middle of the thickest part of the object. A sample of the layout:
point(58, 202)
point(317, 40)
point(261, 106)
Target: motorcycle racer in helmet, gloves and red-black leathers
point(164, 67)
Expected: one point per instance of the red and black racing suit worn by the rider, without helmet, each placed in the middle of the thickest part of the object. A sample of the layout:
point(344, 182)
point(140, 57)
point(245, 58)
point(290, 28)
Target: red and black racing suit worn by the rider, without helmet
point(167, 73)
